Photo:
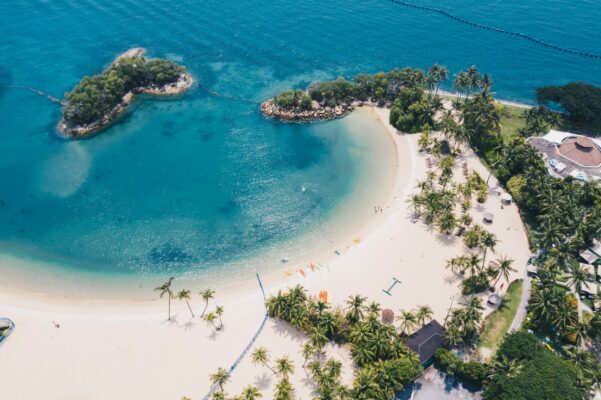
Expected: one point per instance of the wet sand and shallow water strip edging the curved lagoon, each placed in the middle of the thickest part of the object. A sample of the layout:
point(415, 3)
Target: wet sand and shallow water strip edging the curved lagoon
point(97, 290)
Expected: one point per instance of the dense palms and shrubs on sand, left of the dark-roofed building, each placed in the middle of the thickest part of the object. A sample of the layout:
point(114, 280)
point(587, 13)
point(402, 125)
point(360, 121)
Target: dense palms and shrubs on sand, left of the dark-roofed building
point(385, 364)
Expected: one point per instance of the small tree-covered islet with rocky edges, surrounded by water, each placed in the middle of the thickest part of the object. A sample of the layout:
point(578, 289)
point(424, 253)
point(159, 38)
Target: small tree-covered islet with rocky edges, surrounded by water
point(97, 101)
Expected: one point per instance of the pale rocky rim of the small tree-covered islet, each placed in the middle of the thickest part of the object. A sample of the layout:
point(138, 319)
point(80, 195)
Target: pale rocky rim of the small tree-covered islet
point(174, 89)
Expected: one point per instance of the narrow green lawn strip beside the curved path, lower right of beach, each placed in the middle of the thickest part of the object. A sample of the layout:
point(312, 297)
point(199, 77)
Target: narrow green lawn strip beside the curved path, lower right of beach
point(497, 323)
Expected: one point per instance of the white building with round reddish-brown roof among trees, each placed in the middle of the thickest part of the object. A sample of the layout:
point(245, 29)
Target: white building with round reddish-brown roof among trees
point(569, 154)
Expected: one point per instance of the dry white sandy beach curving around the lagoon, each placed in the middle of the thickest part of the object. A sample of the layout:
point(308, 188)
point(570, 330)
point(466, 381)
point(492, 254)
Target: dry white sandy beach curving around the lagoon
point(126, 350)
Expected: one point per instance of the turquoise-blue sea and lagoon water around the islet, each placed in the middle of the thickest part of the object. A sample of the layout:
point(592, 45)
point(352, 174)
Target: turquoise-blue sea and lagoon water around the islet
point(202, 183)
